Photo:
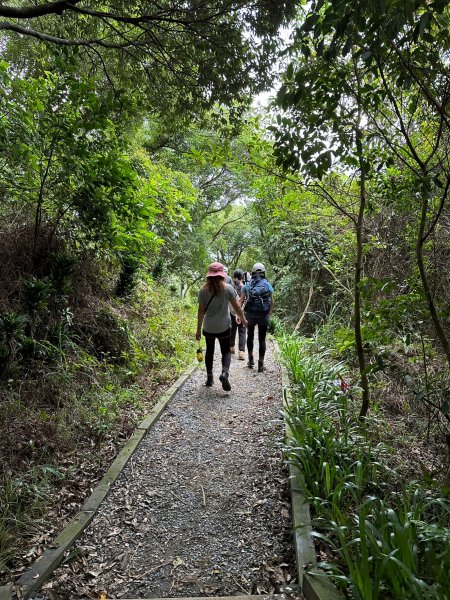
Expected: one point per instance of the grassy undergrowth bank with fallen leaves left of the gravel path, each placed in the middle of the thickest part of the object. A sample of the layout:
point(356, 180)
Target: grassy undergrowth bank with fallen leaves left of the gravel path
point(64, 415)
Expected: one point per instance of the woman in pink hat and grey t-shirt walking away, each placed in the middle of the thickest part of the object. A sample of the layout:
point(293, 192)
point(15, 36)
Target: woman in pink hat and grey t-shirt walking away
point(214, 299)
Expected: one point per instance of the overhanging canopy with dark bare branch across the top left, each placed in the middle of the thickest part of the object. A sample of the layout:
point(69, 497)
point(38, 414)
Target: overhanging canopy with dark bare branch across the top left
point(185, 55)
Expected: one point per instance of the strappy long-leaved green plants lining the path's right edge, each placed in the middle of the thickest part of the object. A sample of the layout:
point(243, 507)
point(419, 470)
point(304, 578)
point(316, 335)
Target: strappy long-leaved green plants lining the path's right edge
point(389, 540)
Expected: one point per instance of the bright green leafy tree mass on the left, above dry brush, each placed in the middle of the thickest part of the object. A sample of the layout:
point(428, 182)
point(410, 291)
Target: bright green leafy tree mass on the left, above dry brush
point(71, 169)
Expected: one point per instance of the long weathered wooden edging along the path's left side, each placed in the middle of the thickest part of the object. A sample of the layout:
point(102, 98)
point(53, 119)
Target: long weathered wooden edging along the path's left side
point(43, 567)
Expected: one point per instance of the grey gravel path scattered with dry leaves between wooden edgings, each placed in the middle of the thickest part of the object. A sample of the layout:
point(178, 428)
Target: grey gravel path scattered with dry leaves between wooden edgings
point(202, 508)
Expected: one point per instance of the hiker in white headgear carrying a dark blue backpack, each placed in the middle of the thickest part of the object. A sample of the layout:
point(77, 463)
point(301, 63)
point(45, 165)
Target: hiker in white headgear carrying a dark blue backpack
point(257, 295)
